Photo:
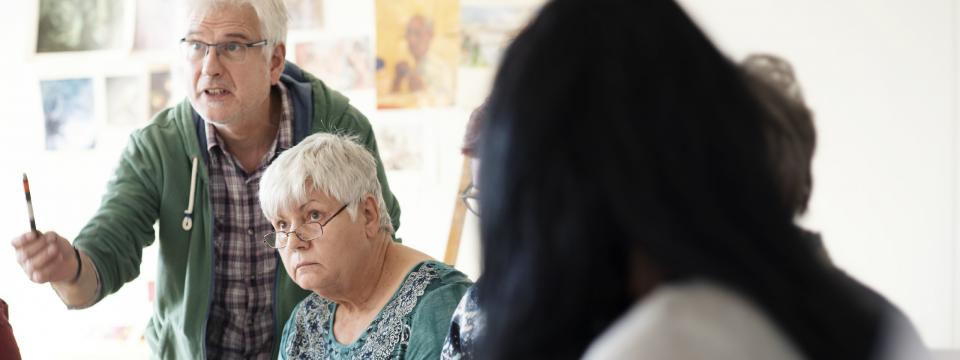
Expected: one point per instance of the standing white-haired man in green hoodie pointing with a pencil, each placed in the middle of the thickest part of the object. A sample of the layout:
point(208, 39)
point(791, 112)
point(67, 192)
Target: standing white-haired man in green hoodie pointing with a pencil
point(196, 170)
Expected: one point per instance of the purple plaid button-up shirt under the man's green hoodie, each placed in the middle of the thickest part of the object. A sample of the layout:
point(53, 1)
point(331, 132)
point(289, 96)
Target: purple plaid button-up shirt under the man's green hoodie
point(241, 323)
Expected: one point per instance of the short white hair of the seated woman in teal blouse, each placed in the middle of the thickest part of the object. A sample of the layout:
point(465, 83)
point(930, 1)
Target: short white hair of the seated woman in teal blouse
point(334, 164)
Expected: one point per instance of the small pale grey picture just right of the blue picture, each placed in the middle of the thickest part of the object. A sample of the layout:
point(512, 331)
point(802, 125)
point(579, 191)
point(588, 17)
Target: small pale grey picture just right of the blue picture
point(127, 103)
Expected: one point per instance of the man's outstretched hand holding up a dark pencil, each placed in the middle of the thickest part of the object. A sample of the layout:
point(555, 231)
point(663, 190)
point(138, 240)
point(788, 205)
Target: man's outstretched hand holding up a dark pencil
point(46, 258)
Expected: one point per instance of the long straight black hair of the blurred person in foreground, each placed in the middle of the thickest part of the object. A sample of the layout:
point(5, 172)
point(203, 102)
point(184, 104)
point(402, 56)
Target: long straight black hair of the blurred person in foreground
point(615, 127)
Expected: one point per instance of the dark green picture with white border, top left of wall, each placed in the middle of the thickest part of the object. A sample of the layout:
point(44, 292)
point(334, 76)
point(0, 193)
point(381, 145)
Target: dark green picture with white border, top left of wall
point(80, 25)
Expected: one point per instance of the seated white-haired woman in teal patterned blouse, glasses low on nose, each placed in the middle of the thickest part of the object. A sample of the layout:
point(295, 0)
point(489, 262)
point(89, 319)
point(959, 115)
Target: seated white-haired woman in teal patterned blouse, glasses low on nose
point(372, 297)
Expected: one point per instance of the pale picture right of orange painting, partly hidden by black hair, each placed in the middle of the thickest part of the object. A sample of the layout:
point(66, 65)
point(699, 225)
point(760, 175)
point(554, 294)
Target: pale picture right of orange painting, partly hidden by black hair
point(488, 29)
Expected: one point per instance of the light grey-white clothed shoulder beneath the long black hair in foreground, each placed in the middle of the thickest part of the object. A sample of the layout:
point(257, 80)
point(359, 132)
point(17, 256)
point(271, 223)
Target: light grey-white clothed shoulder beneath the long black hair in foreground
point(694, 320)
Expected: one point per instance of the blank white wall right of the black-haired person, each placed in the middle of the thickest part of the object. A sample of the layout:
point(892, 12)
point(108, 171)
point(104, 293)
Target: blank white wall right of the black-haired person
point(881, 79)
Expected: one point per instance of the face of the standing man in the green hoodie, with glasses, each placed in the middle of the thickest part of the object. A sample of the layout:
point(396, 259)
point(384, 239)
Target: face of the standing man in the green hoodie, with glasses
point(222, 90)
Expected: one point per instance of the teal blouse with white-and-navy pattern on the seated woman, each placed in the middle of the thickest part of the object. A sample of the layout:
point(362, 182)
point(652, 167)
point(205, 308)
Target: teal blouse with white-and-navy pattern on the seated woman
point(412, 325)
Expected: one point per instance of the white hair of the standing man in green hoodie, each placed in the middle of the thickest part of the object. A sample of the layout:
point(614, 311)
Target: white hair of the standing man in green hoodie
point(271, 13)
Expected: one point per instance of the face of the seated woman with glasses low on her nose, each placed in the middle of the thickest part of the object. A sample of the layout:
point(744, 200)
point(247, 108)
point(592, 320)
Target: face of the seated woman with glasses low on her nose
point(324, 263)
